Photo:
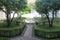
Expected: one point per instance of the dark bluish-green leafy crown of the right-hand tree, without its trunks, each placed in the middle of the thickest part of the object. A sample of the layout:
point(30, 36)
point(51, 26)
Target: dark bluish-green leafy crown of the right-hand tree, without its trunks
point(47, 5)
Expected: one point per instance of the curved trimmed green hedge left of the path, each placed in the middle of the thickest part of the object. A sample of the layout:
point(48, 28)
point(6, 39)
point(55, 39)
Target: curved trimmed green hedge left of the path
point(12, 31)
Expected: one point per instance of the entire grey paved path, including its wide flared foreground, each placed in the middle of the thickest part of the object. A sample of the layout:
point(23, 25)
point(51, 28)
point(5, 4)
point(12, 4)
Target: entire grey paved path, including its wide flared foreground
point(27, 34)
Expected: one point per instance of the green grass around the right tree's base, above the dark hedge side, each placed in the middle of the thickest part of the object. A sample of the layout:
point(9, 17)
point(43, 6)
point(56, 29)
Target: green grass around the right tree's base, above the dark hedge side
point(56, 27)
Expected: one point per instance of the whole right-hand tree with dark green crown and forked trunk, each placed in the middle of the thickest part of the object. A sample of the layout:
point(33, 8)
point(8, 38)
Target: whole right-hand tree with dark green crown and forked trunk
point(45, 6)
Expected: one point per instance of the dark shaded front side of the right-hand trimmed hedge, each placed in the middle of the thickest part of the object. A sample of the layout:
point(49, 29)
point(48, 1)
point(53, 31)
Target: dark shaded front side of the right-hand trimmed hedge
point(45, 34)
